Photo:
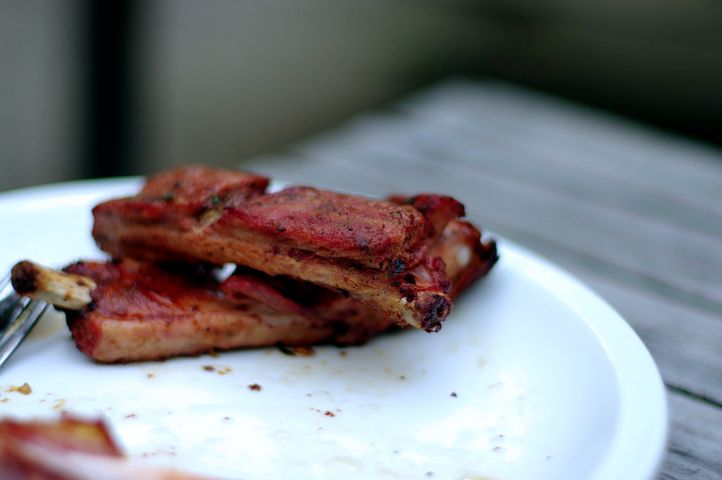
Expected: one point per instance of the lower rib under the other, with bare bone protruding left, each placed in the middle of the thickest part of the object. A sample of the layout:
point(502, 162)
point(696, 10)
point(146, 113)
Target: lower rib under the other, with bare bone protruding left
point(141, 311)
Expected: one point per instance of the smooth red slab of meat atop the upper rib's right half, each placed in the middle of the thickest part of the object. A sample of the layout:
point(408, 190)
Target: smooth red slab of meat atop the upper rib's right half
point(351, 228)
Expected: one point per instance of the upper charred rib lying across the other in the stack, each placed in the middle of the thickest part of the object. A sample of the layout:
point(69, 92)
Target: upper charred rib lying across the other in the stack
point(375, 251)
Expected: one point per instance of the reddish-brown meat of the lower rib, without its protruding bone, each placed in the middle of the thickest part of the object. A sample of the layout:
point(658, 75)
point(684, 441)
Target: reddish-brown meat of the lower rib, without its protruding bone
point(141, 311)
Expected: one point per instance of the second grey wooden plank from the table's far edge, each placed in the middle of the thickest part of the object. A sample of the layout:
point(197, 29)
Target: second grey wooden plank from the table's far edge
point(536, 162)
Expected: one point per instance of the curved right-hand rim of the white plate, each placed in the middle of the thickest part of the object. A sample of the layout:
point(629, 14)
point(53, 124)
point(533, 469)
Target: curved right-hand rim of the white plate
point(641, 390)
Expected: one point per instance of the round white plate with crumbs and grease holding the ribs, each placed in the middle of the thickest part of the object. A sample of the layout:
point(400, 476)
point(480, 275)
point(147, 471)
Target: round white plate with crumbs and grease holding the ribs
point(532, 377)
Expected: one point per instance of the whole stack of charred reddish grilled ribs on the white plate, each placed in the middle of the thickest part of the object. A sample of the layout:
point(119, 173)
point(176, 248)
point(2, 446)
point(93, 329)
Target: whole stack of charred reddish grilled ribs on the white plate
point(312, 267)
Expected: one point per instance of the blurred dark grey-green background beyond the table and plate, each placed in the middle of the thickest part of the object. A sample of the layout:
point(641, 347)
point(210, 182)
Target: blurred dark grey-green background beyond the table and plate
point(90, 88)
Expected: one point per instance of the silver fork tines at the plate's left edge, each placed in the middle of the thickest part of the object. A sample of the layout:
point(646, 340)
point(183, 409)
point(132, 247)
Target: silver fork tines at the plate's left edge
point(18, 315)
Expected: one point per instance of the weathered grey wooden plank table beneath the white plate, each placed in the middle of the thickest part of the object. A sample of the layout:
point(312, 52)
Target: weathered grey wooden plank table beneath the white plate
point(634, 213)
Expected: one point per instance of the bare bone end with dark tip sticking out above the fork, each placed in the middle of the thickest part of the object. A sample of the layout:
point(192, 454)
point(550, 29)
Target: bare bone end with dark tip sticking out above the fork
point(64, 290)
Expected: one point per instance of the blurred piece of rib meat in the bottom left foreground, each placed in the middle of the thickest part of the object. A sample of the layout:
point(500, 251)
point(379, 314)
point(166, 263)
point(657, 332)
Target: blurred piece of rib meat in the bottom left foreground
point(68, 449)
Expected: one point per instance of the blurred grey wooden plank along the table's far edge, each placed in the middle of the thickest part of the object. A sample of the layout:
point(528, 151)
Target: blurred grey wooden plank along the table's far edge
point(549, 123)
